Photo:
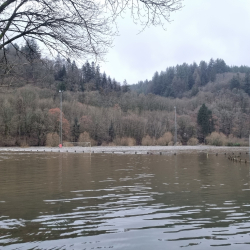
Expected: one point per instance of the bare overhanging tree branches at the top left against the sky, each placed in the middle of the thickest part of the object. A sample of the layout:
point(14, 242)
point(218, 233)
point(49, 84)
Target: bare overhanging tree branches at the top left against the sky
point(76, 27)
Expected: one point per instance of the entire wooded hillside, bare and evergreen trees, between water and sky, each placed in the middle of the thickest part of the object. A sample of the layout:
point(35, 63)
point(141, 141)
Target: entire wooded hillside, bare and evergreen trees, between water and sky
point(211, 99)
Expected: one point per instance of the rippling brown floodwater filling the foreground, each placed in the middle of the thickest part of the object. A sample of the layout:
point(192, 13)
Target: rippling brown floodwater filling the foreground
point(78, 201)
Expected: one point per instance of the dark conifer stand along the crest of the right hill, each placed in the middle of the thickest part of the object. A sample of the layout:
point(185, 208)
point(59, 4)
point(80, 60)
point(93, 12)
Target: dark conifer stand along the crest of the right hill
point(186, 79)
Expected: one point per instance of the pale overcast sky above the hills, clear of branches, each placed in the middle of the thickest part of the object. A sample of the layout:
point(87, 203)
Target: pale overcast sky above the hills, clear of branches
point(202, 30)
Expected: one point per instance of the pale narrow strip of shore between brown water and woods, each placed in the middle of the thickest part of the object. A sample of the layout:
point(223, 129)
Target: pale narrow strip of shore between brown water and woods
point(164, 150)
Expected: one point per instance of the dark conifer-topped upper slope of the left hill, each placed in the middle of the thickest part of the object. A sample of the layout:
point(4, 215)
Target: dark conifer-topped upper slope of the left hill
point(28, 67)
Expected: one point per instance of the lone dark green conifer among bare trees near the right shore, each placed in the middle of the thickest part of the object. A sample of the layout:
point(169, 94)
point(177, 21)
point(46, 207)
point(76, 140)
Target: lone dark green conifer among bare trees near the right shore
point(205, 122)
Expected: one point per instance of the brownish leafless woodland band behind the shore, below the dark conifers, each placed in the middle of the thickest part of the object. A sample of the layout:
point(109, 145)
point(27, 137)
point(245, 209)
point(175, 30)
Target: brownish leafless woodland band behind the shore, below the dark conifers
point(30, 115)
